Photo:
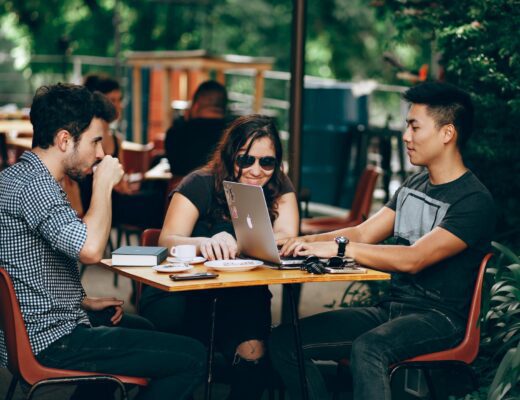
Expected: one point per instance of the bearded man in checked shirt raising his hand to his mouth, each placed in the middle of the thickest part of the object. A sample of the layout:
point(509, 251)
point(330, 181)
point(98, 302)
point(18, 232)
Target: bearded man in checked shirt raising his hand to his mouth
point(42, 238)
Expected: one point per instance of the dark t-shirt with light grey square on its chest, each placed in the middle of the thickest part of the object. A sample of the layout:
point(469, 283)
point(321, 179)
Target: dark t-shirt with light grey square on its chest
point(463, 207)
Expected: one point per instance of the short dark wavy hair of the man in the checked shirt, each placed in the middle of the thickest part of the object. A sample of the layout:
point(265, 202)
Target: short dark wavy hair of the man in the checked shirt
point(57, 107)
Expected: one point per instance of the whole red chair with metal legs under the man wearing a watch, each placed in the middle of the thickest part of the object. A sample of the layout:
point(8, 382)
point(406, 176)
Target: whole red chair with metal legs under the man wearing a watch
point(462, 355)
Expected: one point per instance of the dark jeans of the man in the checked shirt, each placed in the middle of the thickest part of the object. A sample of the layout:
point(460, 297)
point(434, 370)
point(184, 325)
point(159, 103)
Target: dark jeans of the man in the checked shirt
point(175, 364)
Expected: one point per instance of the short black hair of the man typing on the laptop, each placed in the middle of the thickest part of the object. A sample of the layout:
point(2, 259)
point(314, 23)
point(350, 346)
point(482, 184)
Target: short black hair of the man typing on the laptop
point(446, 104)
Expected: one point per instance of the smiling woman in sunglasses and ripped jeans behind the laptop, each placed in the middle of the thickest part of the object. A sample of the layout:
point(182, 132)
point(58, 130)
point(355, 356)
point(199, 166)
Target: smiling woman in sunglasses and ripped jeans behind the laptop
point(250, 152)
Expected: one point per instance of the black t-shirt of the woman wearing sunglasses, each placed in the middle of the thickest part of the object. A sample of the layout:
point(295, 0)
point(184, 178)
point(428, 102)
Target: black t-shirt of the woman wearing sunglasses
point(199, 188)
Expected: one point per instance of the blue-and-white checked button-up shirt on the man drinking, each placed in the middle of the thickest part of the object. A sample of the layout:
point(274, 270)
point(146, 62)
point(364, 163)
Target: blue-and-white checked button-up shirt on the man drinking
point(40, 240)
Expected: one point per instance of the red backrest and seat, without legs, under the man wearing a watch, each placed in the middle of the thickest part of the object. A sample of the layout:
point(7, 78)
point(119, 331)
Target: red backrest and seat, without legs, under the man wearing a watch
point(467, 350)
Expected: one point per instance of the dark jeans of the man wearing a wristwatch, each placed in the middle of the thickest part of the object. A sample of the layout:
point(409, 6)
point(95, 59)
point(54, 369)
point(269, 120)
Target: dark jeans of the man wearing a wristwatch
point(372, 338)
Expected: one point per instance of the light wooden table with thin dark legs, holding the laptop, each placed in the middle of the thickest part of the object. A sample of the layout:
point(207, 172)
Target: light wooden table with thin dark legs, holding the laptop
point(256, 277)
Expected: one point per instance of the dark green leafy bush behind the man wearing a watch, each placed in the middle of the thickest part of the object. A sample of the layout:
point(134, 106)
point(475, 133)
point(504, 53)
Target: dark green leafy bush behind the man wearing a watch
point(480, 50)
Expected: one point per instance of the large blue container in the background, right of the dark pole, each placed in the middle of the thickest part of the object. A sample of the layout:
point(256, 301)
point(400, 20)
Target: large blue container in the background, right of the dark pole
point(331, 115)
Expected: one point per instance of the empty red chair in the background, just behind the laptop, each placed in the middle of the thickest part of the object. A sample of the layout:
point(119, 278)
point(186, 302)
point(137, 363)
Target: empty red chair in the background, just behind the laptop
point(358, 213)
